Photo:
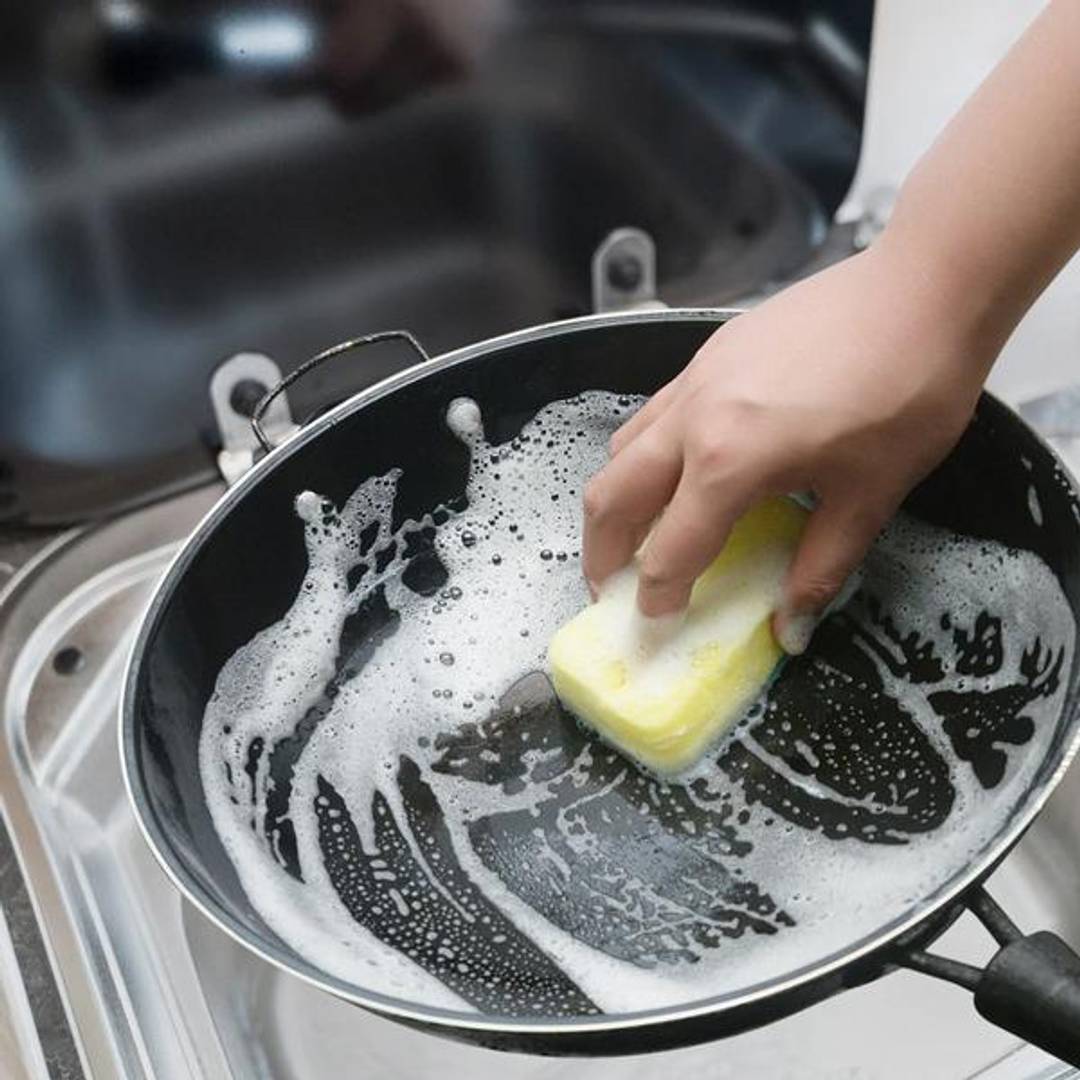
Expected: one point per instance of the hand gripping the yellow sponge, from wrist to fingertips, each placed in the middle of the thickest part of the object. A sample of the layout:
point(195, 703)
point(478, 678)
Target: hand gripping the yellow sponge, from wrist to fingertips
point(852, 385)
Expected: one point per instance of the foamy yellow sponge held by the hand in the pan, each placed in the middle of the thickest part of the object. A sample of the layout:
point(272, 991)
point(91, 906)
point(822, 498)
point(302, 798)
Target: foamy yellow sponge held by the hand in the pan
point(664, 695)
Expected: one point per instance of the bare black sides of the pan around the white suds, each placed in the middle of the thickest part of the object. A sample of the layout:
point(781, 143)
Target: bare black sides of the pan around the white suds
point(241, 571)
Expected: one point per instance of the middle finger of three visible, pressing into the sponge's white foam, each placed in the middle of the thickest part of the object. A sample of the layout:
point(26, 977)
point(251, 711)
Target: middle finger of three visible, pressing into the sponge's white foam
point(687, 538)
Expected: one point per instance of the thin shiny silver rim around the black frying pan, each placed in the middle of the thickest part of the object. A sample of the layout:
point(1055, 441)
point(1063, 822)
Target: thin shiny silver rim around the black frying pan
point(922, 915)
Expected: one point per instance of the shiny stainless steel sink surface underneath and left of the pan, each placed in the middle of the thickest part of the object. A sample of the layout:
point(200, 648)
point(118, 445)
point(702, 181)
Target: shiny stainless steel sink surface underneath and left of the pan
point(145, 976)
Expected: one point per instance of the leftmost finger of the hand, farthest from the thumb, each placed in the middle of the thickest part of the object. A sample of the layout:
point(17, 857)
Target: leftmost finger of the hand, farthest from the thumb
point(623, 501)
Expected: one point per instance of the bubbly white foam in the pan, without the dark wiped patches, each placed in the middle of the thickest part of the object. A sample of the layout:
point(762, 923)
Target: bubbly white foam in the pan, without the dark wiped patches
point(514, 577)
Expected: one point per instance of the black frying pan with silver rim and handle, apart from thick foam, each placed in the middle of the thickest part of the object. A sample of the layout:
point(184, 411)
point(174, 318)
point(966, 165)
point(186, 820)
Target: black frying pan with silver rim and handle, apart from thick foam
point(241, 570)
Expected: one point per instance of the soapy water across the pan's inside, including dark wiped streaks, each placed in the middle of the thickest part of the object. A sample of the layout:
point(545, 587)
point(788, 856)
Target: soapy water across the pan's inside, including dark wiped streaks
point(409, 807)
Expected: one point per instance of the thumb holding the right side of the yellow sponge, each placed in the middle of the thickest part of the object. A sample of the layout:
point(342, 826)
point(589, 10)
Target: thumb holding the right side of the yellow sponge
point(836, 539)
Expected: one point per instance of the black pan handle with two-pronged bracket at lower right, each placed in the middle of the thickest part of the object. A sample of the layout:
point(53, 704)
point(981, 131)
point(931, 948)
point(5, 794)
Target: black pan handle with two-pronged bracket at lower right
point(1031, 988)
